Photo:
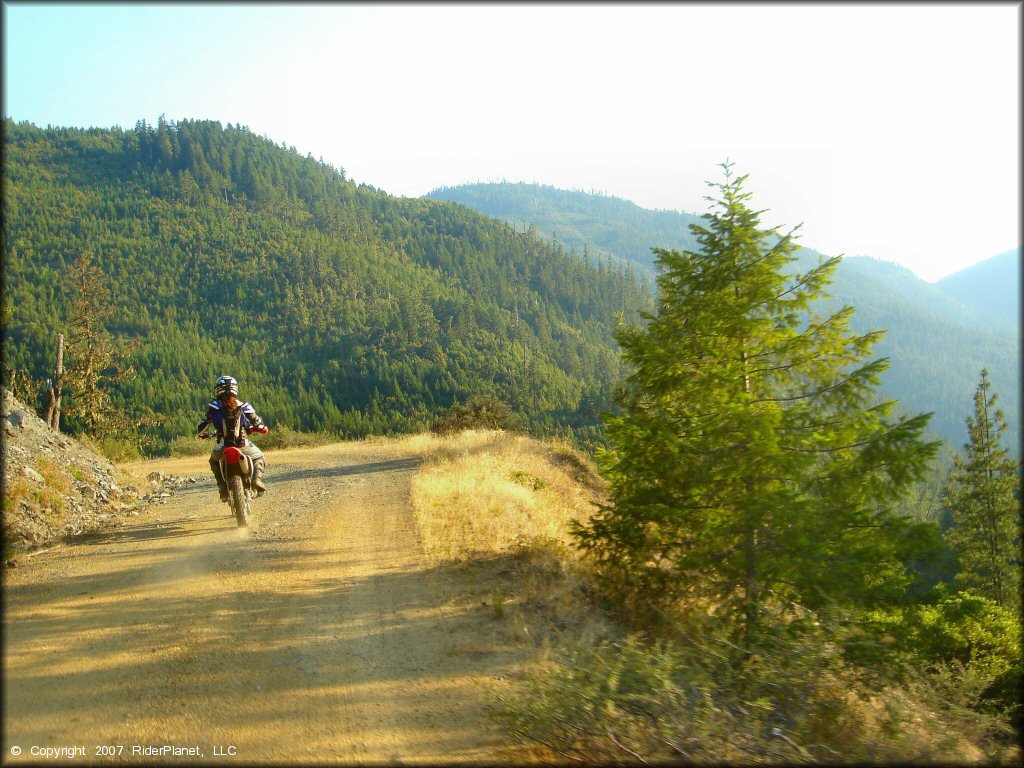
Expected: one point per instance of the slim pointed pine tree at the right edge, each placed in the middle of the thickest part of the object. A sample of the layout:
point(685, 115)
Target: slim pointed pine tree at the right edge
point(984, 497)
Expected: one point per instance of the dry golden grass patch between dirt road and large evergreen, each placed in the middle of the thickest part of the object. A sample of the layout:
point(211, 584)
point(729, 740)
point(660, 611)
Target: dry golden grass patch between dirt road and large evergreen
point(498, 508)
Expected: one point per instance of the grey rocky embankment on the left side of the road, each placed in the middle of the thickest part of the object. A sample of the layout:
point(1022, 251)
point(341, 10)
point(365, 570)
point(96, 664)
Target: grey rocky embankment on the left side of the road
point(55, 487)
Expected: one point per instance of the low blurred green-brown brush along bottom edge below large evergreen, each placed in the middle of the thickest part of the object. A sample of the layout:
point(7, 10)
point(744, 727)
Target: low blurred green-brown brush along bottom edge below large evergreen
point(700, 700)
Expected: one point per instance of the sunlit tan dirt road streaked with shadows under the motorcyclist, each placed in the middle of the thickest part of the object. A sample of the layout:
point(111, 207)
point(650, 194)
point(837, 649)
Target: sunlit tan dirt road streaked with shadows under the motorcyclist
point(319, 635)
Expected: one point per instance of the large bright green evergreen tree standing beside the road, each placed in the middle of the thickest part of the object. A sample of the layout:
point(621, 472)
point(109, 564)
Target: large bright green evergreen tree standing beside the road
point(753, 468)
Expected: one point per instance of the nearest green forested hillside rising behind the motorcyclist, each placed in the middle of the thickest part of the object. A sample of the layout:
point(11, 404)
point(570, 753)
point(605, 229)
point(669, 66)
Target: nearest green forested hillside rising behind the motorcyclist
point(337, 307)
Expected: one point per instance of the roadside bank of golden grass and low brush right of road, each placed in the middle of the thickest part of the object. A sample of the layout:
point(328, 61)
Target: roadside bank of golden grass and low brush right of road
point(503, 505)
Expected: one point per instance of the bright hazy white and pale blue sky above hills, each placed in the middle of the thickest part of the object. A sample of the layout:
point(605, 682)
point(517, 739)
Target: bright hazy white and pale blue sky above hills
point(890, 132)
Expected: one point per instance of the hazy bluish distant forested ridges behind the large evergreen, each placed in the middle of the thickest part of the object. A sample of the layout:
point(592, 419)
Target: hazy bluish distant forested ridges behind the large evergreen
point(940, 336)
